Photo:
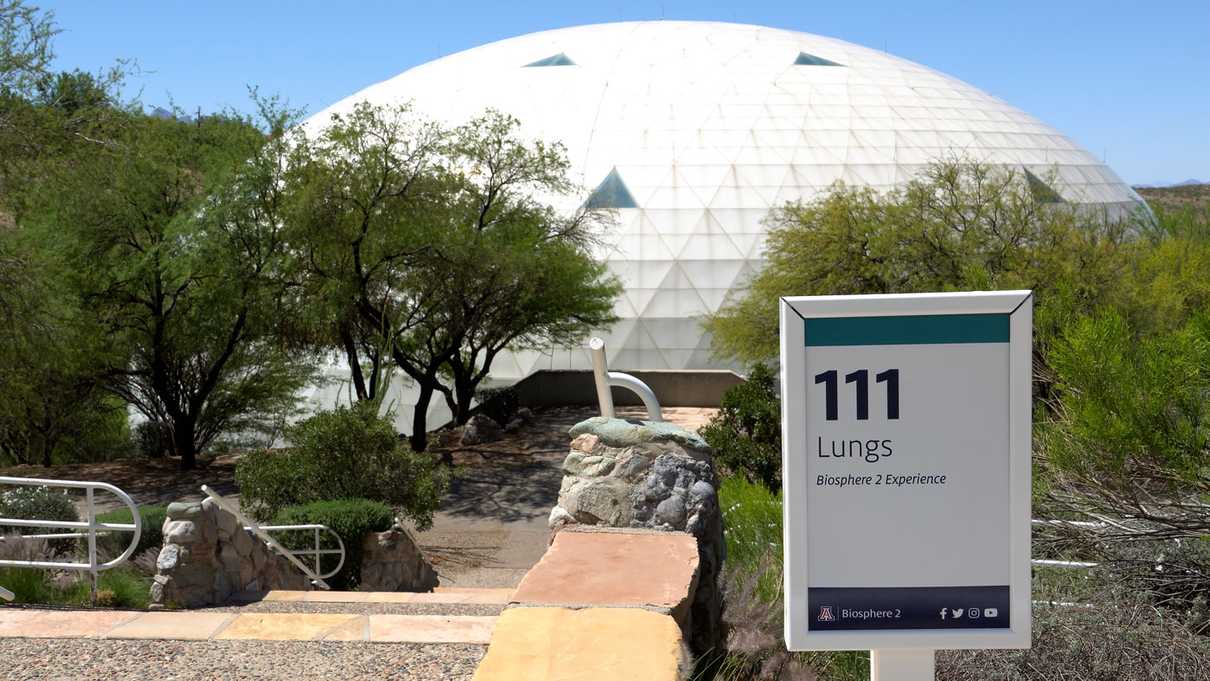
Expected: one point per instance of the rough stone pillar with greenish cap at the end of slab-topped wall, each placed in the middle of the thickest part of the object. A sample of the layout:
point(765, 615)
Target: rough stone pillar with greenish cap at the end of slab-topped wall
point(656, 476)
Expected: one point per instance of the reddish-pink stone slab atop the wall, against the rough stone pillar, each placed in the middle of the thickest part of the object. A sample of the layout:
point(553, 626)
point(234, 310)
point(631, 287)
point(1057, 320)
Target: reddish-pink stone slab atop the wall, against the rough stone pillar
point(619, 569)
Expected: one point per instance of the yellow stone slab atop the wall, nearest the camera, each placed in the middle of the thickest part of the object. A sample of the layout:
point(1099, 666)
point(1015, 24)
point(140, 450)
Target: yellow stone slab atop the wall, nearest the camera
point(550, 644)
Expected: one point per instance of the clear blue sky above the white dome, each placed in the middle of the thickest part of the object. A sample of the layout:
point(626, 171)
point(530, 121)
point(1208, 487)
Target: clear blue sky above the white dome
point(1131, 82)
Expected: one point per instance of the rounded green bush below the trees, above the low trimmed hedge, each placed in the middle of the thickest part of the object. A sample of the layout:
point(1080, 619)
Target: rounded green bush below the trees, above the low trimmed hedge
point(349, 453)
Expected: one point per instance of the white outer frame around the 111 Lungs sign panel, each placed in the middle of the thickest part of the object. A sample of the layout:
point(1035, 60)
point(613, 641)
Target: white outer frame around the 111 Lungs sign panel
point(794, 311)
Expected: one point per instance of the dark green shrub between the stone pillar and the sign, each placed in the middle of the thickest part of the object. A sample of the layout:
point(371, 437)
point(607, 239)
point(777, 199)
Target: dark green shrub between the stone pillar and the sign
point(747, 432)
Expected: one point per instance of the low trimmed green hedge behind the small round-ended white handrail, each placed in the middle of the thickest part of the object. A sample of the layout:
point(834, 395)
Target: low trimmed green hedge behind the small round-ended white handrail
point(352, 520)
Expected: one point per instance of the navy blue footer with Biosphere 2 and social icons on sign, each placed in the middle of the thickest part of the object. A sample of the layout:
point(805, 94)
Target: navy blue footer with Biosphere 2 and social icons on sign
point(908, 608)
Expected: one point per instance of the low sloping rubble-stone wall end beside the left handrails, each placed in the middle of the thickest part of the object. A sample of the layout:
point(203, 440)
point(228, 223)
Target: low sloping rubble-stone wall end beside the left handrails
point(208, 558)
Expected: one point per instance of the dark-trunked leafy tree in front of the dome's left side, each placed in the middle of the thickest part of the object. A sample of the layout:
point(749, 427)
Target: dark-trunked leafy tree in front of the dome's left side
point(433, 249)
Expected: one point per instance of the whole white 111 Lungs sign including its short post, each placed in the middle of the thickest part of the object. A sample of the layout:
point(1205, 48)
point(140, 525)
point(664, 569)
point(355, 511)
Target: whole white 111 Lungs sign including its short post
point(906, 429)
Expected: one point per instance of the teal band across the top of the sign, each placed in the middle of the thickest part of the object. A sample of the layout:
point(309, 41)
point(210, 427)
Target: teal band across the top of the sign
point(914, 330)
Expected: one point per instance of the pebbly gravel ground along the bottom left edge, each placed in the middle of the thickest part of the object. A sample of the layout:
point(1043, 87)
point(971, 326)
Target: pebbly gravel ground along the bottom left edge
point(78, 660)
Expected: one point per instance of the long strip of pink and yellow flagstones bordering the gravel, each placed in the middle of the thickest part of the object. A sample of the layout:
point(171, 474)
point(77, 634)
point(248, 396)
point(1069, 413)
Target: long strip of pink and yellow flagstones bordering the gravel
point(261, 627)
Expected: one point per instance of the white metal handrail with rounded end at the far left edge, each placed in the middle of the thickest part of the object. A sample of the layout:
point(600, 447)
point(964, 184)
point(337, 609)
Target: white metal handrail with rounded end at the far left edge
point(89, 528)
